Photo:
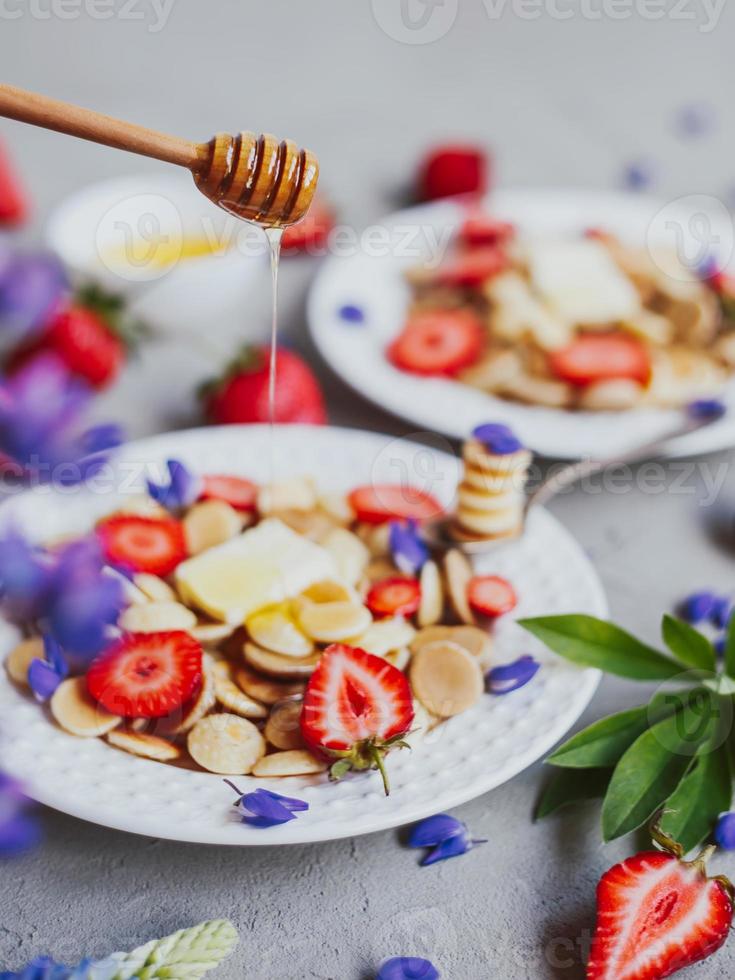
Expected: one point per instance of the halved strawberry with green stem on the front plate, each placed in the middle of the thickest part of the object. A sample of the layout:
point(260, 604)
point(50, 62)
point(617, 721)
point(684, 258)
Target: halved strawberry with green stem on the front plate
point(356, 708)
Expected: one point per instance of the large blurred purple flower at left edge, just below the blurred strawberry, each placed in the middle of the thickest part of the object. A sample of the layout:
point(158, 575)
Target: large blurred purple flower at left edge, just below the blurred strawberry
point(41, 431)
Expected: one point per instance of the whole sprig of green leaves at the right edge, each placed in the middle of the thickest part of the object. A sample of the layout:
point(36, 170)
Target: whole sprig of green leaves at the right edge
point(670, 755)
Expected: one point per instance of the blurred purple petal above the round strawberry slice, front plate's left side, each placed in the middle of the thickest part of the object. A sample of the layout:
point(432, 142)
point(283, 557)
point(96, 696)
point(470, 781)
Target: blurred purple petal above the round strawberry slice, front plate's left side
point(84, 602)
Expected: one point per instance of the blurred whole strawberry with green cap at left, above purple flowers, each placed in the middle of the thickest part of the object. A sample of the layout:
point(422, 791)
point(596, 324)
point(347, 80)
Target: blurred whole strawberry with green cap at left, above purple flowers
point(89, 334)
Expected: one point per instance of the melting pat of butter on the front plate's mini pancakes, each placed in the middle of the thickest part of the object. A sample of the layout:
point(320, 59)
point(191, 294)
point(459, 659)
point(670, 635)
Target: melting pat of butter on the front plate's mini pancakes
point(265, 565)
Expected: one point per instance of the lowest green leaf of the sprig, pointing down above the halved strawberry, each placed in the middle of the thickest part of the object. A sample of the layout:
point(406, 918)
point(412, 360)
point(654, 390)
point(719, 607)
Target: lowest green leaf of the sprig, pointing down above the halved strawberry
point(704, 793)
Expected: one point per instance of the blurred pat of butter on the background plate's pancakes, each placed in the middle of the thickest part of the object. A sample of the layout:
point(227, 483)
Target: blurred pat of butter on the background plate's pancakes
point(580, 282)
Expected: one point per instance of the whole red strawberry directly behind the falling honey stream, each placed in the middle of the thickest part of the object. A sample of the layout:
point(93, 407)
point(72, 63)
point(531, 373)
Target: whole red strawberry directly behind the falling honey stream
point(242, 394)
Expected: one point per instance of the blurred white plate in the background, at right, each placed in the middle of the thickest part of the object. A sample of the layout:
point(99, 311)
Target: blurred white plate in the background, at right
point(371, 278)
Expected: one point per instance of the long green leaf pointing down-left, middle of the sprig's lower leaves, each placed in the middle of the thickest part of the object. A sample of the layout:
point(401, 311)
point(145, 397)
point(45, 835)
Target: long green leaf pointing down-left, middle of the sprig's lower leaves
point(652, 768)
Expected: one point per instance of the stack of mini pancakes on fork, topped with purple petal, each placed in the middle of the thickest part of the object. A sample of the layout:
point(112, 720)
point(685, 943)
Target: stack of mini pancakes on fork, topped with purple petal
point(491, 495)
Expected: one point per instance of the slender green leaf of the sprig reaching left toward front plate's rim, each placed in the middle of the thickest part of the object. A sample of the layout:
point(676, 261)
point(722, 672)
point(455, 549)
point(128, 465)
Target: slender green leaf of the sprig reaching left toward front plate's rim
point(594, 642)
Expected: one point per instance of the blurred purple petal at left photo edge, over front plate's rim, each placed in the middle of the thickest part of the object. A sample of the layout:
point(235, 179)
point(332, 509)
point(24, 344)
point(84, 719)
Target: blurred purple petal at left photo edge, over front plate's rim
point(26, 577)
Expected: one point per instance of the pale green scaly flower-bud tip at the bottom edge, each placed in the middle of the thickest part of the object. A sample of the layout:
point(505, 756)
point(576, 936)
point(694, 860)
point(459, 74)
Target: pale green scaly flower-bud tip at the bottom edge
point(186, 955)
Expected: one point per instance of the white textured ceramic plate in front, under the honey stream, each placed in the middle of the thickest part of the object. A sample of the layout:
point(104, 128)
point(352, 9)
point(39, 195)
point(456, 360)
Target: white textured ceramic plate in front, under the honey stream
point(471, 754)
